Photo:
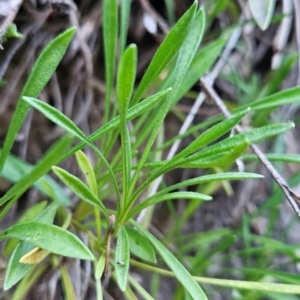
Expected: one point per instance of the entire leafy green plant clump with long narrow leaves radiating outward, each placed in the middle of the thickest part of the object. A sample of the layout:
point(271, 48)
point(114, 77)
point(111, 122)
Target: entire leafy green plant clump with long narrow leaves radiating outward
point(126, 176)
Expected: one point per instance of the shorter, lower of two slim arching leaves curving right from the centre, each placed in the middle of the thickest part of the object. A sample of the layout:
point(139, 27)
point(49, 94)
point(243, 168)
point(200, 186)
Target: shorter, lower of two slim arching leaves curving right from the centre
point(166, 197)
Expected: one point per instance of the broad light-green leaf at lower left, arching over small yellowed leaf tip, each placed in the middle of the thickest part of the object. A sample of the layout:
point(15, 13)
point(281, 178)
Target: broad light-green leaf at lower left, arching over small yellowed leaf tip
point(49, 237)
